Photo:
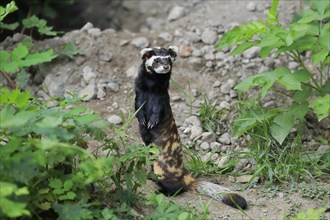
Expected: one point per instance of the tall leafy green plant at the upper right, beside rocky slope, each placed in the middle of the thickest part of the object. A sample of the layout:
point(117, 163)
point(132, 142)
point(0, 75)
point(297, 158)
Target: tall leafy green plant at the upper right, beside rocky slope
point(307, 90)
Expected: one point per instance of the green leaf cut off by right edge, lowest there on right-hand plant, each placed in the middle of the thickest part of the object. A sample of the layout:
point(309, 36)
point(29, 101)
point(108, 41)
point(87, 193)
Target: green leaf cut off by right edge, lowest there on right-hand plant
point(321, 106)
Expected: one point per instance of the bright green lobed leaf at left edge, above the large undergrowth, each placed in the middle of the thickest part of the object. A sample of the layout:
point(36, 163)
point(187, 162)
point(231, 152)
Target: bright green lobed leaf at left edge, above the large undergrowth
point(20, 57)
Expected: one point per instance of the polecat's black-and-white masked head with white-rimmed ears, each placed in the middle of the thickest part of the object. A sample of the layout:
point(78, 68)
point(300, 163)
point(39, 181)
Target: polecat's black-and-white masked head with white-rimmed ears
point(159, 60)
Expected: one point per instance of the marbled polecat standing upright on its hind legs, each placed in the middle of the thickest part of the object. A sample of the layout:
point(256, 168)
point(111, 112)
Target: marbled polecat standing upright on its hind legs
point(157, 126)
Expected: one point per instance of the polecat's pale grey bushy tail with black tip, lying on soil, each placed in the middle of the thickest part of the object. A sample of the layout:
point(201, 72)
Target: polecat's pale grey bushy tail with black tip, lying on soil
point(221, 194)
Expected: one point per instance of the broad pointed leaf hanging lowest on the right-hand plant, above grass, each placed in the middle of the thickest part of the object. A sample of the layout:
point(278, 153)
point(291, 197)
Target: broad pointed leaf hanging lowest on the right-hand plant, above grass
point(281, 126)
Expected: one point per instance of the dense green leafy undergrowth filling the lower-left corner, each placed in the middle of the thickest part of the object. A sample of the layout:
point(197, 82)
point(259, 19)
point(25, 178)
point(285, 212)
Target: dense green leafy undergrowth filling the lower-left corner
point(45, 167)
